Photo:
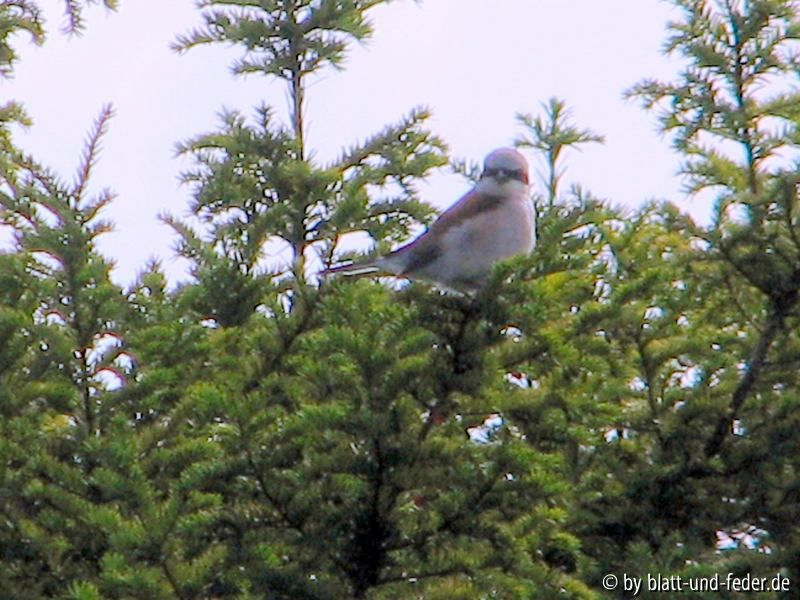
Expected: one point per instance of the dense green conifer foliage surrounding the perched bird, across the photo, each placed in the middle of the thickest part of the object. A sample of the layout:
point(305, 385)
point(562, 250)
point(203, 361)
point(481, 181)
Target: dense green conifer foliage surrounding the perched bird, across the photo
point(624, 401)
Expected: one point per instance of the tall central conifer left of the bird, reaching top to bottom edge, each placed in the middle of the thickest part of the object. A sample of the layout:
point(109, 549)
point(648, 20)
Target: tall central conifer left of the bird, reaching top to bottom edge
point(341, 412)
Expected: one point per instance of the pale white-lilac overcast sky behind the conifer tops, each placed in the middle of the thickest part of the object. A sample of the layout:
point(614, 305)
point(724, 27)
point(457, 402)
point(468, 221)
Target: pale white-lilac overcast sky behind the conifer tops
point(475, 63)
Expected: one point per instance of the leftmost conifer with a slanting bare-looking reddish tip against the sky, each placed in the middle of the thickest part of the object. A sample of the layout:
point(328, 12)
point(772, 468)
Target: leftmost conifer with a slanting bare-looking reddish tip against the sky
point(59, 404)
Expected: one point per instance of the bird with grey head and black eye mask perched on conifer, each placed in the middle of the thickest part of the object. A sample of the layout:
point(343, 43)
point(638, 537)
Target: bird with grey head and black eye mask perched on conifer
point(491, 222)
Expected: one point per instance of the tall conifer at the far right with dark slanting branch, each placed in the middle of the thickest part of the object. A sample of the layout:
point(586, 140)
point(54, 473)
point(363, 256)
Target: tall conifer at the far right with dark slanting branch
point(704, 318)
